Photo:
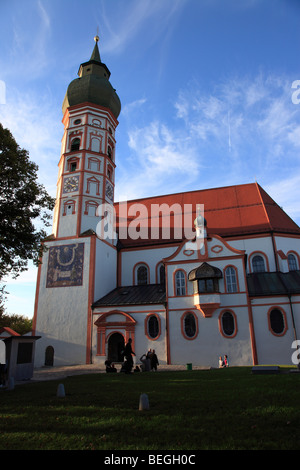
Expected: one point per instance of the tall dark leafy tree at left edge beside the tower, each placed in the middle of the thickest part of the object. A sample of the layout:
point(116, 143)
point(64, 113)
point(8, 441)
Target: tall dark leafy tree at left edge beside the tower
point(23, 202)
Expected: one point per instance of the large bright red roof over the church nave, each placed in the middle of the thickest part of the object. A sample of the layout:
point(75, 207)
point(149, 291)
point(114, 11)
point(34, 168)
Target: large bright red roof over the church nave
point(229, 211)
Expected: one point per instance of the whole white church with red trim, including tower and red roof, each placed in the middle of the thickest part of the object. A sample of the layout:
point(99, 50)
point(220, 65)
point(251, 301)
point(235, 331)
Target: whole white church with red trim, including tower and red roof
point(231, 286)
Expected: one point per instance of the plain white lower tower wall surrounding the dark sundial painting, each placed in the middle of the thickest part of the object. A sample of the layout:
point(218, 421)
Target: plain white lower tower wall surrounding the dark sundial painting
point(62, 315)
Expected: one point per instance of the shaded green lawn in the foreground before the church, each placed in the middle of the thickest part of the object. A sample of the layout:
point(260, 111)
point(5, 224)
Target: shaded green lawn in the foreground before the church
point(189, 410)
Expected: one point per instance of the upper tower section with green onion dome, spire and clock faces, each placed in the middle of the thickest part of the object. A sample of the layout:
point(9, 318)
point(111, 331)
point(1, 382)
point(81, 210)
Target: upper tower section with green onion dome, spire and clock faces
point(87, 165)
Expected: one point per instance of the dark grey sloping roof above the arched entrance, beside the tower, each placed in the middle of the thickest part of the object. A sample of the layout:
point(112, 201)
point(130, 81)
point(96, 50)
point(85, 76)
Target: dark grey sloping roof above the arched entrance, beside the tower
point(133, 295)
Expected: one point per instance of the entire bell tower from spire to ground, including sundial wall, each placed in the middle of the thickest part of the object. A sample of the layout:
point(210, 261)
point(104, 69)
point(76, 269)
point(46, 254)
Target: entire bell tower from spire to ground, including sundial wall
point(78, 266)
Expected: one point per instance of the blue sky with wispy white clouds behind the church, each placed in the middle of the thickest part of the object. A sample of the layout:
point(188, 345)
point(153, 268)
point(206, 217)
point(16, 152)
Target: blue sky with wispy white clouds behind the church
point(205, 86)
